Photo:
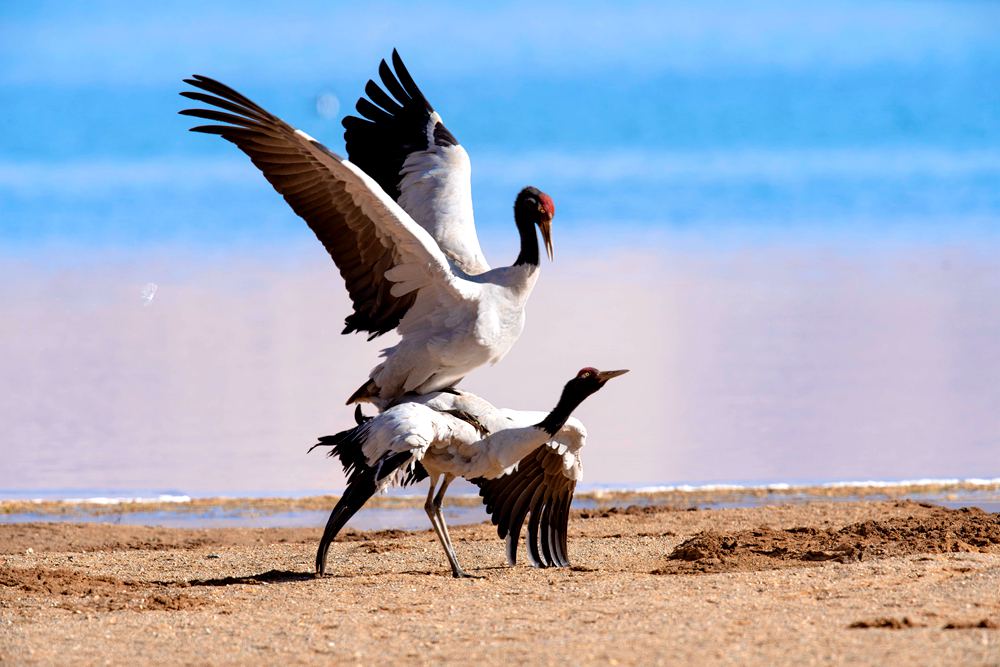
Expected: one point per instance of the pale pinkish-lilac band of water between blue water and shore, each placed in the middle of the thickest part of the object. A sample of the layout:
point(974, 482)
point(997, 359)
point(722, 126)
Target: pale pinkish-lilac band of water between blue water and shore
point(748, 364)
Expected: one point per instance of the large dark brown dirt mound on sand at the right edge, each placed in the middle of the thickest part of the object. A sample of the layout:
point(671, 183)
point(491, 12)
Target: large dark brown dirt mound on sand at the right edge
point(939, 530)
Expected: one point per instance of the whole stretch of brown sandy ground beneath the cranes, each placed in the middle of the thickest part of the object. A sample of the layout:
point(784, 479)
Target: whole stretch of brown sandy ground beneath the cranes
point(820, 583)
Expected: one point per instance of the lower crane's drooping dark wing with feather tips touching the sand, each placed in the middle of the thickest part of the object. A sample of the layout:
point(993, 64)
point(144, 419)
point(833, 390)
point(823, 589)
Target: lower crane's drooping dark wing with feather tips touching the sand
point(543, 486)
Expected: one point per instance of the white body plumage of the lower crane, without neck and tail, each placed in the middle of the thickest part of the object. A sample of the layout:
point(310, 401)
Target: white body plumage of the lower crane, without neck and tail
point(448, 445)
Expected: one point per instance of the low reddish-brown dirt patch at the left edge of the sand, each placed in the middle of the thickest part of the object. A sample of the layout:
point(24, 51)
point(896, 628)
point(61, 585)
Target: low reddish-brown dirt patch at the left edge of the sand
point(85, 592)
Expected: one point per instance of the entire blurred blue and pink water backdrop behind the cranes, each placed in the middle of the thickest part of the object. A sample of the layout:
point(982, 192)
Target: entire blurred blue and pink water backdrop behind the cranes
point(784, 219)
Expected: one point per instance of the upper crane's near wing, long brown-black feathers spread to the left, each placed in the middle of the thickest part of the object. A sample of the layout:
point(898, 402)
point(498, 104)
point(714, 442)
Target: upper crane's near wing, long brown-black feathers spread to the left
point(384, 257)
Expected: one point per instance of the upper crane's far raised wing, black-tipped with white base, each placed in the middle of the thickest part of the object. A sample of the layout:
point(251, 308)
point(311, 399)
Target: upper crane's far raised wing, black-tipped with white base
point(401, 142)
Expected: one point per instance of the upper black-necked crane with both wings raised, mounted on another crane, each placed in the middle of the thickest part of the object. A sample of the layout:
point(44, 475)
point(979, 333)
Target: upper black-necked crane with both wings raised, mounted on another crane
point(398, 225)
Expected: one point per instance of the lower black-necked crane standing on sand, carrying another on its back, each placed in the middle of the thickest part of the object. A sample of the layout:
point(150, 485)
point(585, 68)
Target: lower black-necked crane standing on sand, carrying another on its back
point(523, 462)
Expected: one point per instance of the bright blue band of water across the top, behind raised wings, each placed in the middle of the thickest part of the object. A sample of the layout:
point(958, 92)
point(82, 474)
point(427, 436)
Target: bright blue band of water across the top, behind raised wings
point(835, 119)
